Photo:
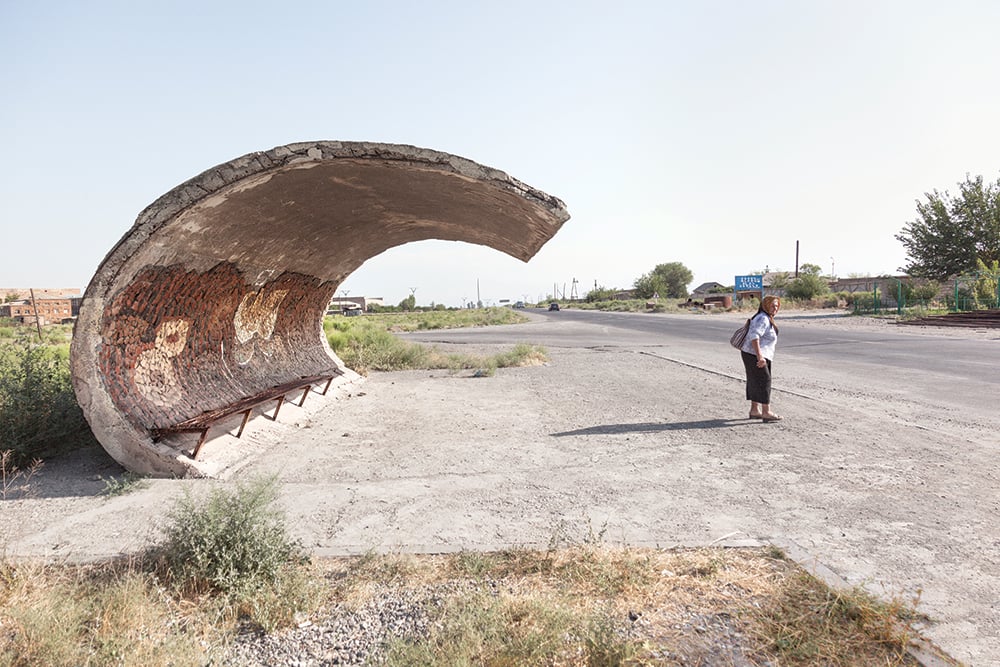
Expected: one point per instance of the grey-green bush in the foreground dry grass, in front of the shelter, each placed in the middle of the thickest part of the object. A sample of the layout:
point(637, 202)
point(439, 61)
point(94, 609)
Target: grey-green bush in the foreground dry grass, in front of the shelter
point(231, 542)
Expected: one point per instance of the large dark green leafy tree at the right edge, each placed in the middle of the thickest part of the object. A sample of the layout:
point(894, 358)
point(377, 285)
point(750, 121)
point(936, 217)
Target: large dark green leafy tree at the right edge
point(952, 234)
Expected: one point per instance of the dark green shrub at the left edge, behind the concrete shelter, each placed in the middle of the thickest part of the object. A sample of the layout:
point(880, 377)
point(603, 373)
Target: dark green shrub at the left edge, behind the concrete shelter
point(39, 415)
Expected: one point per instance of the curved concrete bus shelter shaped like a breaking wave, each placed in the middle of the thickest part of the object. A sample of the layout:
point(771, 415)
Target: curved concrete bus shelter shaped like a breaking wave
point(218, 291)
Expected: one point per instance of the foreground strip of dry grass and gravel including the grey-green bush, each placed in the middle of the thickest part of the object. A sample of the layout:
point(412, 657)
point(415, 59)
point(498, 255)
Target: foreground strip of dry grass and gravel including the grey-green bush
point(227, 568)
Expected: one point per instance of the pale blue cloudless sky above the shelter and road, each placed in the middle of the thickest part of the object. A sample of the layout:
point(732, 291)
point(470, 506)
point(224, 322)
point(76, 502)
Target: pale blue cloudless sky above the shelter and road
point(716, 134)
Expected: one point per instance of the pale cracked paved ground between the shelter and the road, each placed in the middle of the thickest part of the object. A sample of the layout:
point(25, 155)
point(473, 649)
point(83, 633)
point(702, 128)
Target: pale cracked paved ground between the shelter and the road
point(631, 442)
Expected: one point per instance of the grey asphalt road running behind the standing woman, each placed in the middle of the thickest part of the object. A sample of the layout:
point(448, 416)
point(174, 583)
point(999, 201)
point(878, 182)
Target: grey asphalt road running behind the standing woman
point(945, 366)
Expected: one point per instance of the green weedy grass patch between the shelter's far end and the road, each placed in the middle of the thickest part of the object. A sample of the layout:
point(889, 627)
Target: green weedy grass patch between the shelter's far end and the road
point(367, 343)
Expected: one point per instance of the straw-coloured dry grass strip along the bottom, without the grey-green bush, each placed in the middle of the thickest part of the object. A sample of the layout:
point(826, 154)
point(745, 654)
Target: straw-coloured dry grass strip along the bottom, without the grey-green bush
point(583, 604)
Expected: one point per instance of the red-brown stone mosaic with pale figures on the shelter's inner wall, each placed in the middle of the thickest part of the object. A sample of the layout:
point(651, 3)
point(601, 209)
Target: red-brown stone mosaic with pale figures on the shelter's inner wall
point(175, 343)
